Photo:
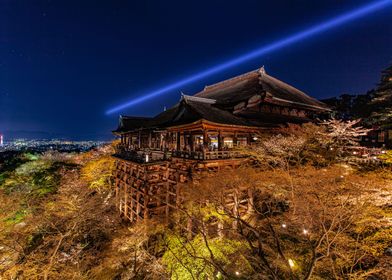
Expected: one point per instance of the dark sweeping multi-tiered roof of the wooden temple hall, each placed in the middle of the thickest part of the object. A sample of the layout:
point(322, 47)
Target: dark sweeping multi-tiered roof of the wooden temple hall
point(213, 102)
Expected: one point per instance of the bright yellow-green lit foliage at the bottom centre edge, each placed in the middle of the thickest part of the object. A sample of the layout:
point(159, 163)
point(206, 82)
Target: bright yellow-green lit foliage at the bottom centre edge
point(199, 257)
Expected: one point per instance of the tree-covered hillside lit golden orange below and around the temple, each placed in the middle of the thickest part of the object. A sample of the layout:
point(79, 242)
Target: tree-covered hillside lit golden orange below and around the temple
point(312, 219)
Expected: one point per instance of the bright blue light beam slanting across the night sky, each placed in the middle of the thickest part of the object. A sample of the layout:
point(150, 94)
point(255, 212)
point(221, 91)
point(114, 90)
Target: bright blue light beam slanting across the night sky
point(317, 29)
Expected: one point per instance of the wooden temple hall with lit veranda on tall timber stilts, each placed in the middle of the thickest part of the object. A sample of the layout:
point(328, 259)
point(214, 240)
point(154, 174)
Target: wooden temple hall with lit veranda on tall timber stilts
point(199, 135)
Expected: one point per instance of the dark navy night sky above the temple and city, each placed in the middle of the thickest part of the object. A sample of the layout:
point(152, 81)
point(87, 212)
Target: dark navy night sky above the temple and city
point(64, 63)
